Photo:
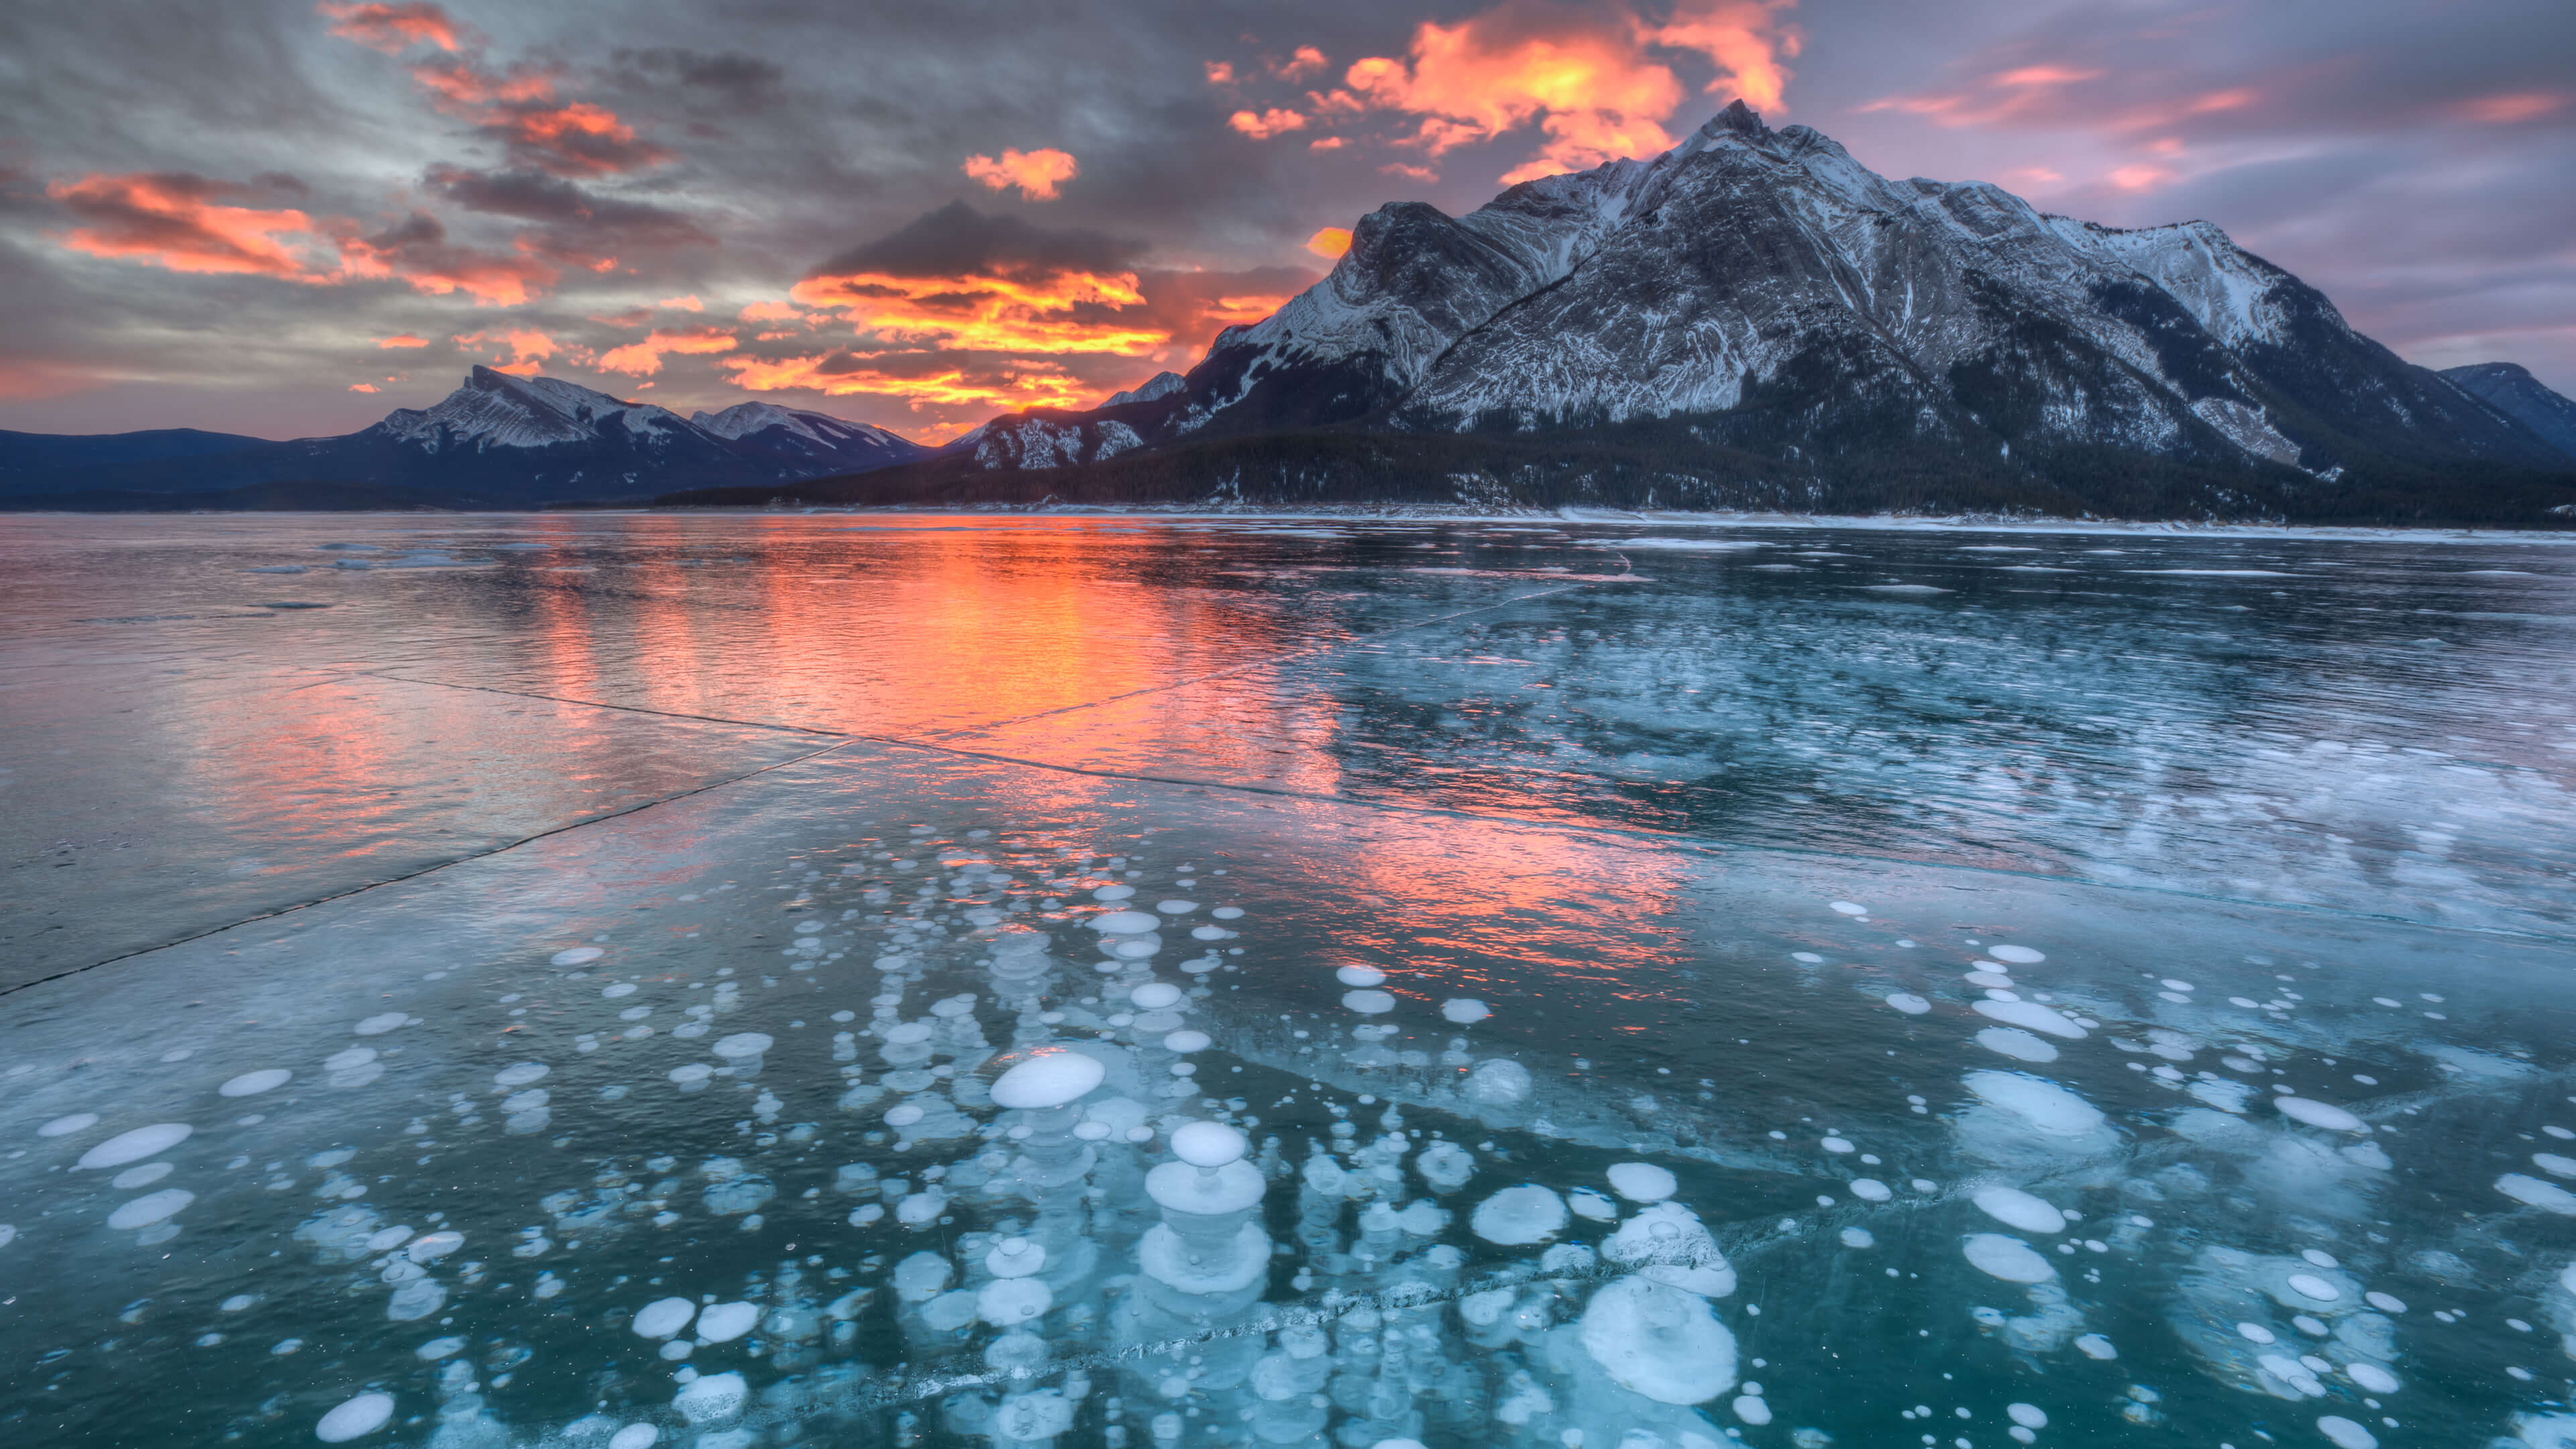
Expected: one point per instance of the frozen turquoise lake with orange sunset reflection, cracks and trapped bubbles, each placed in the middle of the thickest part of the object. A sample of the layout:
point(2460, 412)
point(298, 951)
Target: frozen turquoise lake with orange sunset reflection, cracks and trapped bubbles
point(609, 981)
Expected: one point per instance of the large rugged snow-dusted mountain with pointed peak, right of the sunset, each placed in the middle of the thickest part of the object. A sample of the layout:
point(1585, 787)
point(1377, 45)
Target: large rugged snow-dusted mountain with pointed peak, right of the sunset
point(1758, 308)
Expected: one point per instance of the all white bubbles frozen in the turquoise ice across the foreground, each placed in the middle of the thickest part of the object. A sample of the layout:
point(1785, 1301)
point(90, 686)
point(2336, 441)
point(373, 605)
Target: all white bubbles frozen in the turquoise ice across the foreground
point(1148, 1270)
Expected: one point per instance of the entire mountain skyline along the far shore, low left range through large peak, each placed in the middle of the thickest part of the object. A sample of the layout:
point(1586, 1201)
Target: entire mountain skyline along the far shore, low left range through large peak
point(1750, 321)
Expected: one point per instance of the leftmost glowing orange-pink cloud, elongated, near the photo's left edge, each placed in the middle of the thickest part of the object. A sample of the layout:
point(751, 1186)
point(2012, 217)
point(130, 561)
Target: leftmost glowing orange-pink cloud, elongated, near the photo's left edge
point(187, 223)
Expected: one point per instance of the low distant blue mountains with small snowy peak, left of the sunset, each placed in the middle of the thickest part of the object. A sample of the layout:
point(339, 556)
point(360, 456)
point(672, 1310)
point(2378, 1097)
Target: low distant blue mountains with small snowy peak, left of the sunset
point(496, 442)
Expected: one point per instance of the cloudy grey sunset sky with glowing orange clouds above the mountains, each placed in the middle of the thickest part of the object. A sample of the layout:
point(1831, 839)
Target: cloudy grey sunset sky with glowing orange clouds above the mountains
point(282, 218)
